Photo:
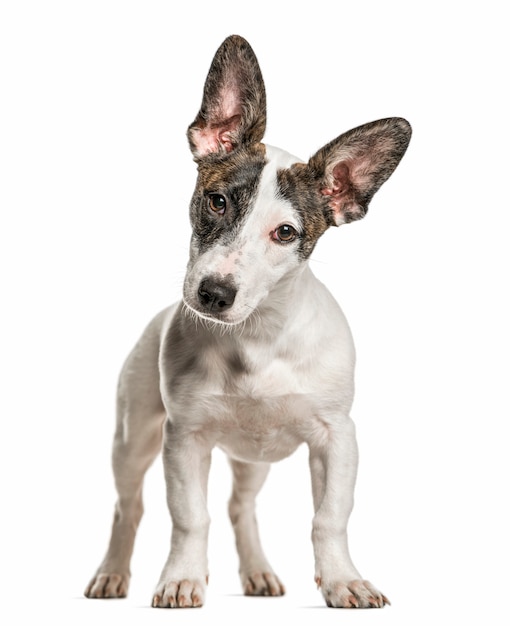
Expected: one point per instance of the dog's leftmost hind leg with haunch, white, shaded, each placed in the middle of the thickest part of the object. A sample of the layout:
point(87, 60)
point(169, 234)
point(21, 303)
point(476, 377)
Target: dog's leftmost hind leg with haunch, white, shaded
point(137, 441)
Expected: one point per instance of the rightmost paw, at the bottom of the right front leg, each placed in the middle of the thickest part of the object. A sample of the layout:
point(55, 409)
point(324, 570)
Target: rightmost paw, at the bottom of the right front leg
point(354, 594)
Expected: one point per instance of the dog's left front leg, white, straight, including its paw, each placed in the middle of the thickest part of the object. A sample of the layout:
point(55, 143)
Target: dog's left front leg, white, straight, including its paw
point(186, 458)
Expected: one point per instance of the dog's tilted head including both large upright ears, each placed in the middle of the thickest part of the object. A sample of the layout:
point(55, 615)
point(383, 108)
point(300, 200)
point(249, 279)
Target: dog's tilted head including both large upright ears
point(257, 212)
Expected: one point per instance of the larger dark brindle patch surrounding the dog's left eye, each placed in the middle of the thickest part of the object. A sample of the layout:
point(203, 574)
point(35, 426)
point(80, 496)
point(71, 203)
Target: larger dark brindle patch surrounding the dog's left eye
point(236, 176)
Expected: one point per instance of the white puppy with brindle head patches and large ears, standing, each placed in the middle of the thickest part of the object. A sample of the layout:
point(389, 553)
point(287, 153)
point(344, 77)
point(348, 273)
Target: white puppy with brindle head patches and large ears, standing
point(257, 358)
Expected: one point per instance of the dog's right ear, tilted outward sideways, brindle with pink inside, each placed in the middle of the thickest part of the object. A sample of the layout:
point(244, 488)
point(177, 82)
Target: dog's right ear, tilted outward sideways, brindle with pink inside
point(351, 168)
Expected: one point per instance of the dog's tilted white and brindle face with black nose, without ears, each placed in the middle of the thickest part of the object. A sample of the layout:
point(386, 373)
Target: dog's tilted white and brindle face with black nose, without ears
point(248, 235)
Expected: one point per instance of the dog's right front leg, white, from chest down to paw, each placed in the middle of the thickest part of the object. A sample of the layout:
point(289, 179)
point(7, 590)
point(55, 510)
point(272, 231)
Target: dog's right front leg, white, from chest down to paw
point(333, 464)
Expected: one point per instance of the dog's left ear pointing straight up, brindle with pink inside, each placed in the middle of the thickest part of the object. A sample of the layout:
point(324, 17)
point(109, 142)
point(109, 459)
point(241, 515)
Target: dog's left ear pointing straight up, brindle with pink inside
point(233, 107)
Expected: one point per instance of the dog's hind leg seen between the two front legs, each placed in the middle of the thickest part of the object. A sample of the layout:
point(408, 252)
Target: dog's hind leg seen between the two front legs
point(257, 576)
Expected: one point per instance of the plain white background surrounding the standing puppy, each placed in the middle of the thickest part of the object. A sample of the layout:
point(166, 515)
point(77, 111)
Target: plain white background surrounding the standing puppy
point(95, 179)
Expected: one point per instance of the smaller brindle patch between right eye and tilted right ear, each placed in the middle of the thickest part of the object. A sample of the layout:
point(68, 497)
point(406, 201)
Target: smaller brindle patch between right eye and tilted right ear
point(299, 186)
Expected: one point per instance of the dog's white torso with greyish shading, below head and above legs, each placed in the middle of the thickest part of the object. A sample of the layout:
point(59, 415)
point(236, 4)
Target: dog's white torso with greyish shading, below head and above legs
point(261, 390)
